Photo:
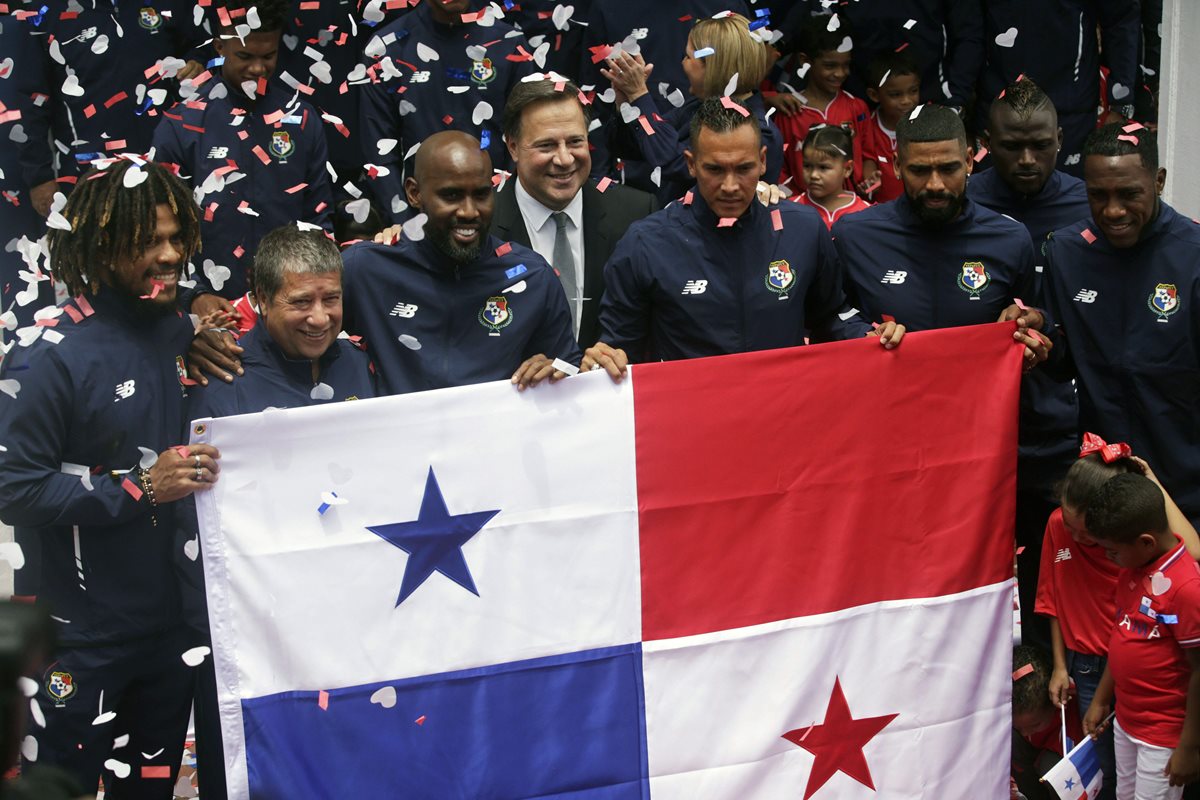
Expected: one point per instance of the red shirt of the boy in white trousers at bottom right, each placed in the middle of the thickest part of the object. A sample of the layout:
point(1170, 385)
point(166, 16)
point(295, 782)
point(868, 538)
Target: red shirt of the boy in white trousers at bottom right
point(1159, 617)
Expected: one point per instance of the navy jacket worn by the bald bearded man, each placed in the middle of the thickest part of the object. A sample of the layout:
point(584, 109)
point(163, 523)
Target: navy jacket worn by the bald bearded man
point(431, 324)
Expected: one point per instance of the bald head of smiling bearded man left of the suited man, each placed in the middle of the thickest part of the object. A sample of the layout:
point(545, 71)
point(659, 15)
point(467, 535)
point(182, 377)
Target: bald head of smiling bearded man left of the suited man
point(454, 188)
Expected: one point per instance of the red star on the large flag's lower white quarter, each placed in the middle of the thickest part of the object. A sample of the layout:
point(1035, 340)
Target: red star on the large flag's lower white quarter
point(837, 744)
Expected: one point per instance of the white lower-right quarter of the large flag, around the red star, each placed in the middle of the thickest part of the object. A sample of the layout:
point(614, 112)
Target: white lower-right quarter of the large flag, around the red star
point(718, 706)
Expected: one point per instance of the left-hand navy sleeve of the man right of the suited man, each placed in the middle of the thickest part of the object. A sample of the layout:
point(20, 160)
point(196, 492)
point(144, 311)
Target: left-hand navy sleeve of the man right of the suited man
point(626, 305)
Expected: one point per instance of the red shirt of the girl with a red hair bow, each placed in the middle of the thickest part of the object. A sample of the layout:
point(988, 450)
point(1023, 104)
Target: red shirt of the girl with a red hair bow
point(1077, 585)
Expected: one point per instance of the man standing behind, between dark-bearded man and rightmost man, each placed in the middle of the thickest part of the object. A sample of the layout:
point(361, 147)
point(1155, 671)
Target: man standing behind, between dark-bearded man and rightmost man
point(1024, 139)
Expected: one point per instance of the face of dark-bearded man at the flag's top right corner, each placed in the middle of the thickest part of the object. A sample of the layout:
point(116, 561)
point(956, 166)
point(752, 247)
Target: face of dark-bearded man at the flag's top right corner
point(935, 179)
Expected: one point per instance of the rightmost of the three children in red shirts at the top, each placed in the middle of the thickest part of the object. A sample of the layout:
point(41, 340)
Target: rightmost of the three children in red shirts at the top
point(896, 89)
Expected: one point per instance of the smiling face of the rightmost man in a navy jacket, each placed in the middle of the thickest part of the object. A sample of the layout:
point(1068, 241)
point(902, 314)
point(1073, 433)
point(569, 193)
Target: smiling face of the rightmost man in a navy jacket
point(1124, 196)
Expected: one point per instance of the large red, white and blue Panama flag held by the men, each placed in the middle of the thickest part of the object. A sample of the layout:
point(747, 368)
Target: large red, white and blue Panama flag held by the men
point(775, 575)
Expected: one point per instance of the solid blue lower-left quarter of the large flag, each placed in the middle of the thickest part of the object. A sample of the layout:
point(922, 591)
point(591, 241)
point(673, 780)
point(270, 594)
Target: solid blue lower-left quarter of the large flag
point(562, 726)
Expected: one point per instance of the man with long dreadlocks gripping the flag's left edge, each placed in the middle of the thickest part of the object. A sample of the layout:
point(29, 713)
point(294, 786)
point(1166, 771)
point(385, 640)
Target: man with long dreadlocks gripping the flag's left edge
point(92, 418)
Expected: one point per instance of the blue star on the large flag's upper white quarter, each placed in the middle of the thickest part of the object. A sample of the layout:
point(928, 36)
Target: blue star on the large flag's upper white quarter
point(434, 542)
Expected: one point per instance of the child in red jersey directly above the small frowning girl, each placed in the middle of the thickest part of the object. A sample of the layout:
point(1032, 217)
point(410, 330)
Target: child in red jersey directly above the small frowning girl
point(826, 56)
